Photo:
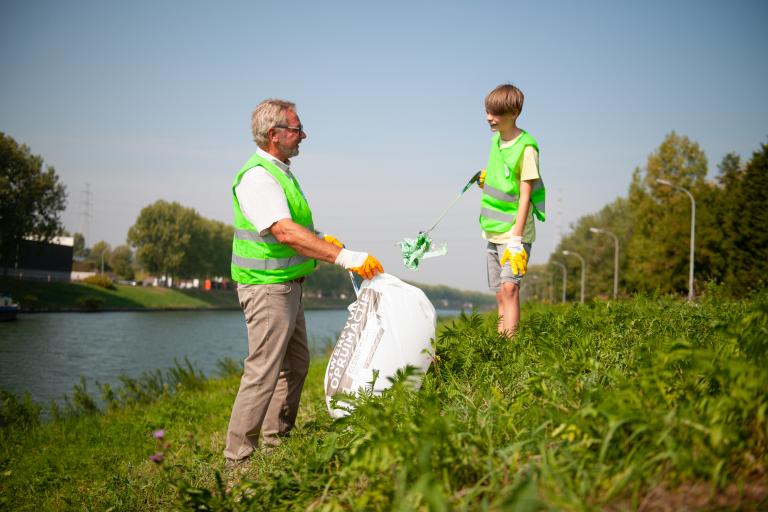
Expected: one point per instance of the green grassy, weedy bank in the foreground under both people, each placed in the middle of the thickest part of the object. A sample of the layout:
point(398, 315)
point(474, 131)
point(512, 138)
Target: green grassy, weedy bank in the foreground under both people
point(651, 404)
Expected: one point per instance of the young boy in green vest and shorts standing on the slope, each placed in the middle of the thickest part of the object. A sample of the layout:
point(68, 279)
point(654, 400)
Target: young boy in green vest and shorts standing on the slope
point(513, 194)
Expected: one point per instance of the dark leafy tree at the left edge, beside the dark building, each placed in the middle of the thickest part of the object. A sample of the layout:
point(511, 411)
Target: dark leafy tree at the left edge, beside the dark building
point(31, 198)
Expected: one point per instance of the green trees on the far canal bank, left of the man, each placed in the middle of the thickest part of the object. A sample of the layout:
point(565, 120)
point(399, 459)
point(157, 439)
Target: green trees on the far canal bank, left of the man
point(166, 239)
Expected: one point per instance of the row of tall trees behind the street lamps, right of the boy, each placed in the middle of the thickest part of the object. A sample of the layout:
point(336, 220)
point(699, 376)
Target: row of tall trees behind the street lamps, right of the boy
point(653, 223)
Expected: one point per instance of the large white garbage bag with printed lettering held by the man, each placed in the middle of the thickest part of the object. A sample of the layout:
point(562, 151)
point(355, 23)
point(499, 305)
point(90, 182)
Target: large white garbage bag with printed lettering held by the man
point(389, 327)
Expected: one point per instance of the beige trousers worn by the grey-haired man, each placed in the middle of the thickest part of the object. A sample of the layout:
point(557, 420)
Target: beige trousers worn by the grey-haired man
point(274, 371)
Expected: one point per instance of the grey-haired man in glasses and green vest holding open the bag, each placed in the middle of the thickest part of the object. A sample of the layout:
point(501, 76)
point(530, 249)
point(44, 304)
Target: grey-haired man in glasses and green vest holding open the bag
point(275, 246)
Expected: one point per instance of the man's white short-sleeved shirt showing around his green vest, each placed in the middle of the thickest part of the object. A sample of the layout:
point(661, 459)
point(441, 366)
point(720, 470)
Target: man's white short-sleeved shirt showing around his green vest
point(261, 197)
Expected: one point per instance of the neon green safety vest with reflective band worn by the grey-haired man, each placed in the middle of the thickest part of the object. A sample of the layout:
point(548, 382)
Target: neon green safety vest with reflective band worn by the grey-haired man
point(262, 259)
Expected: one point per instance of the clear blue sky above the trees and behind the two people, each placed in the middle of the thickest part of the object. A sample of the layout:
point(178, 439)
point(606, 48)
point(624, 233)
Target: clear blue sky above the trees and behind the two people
point(152, 100)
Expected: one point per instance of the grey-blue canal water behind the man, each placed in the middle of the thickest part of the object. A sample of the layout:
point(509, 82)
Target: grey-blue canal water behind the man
point(46, 354)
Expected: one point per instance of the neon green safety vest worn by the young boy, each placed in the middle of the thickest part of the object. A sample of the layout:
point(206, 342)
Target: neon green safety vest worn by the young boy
point(501, 192)
